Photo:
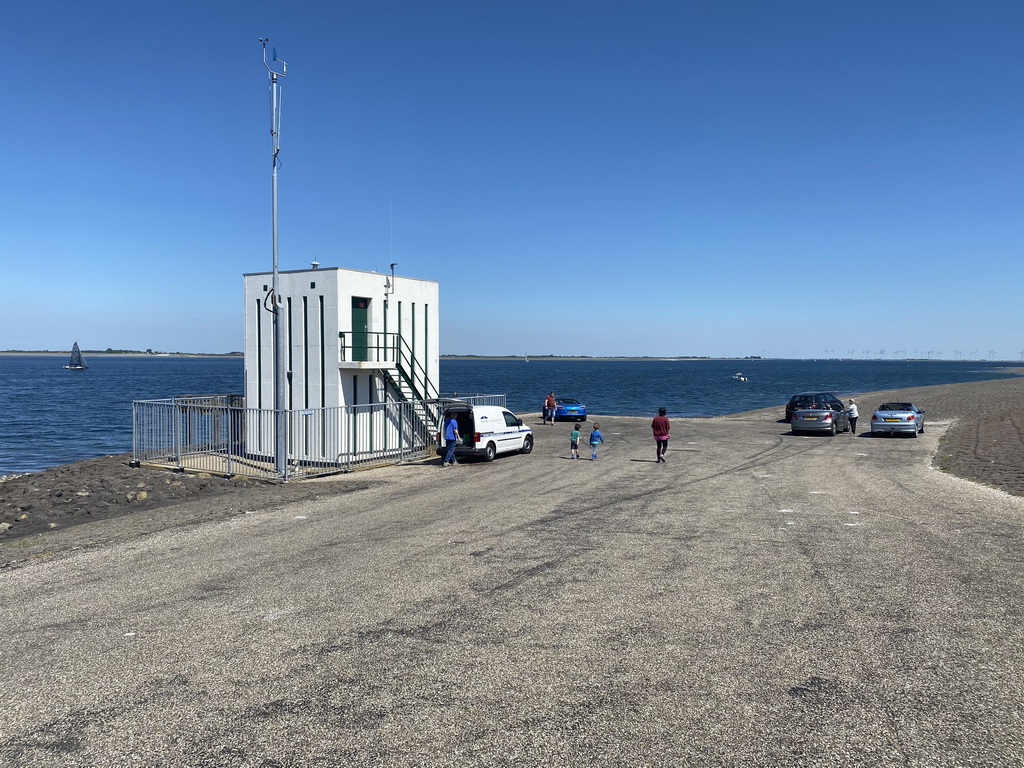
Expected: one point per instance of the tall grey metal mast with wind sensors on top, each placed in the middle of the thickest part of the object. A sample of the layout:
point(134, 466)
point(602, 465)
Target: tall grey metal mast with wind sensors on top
point(278, 305)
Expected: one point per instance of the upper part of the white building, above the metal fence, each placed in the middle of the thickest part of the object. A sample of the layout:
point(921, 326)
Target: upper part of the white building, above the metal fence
point(354, 338)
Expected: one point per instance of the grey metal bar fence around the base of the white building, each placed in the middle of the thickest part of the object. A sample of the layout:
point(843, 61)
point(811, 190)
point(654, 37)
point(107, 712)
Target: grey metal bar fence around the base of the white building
point(219, 435)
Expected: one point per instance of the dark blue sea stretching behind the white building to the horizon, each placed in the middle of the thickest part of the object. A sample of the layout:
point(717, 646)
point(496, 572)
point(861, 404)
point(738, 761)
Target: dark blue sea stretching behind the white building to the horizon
point(52, 416)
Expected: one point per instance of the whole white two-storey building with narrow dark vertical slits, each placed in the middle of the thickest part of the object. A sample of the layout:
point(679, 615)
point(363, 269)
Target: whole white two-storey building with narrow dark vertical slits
point(363, 365)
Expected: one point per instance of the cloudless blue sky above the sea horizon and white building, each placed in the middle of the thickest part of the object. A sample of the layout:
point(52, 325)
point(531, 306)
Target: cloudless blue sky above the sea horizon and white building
point(715, 178)
